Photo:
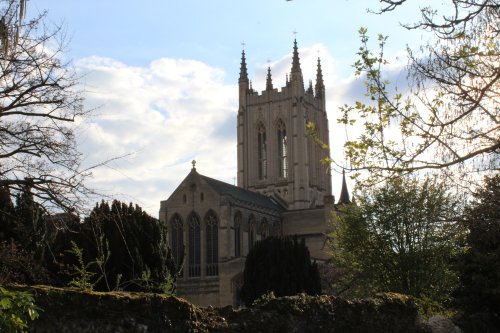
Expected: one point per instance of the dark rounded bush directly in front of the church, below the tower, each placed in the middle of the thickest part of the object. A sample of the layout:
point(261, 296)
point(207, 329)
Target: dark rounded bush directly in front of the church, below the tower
point(281, 265)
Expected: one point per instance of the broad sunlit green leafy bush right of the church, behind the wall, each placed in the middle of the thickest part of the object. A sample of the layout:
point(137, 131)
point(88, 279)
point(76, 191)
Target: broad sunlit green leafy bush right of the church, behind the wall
point(399, 237)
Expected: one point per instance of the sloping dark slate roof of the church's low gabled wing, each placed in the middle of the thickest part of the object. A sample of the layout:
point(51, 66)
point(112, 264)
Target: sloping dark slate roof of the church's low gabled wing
point(239, 193)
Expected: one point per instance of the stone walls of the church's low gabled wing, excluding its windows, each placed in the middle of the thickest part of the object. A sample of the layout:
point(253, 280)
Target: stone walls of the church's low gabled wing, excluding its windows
point(187, 198)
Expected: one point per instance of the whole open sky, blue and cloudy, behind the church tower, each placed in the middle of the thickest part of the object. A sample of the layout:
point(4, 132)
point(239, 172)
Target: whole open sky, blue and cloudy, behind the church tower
point(162, 76)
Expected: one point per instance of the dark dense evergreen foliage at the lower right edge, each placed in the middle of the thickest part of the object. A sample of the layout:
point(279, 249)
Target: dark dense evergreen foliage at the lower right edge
point(479, 266)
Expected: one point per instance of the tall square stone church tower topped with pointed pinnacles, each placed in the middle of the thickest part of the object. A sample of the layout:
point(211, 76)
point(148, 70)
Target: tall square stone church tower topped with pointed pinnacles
point(275, 156)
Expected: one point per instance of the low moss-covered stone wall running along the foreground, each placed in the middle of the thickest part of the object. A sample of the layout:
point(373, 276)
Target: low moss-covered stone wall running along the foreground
point(73, 311)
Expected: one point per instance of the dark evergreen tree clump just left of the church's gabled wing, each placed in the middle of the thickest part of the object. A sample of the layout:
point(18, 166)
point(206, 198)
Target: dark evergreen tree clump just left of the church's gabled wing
point(123, 247)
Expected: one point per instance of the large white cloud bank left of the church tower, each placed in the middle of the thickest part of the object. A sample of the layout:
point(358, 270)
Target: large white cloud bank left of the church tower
point(164, 116)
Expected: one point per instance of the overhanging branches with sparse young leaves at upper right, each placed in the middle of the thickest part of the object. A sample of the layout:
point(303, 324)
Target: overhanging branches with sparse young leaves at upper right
point(449, 119)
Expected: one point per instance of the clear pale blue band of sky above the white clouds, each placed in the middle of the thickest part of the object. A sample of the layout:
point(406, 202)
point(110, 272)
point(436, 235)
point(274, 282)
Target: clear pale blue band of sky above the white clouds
point(137, 32)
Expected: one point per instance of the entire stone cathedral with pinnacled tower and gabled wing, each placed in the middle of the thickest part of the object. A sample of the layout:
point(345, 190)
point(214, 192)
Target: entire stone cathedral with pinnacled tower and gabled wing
point(282, 189)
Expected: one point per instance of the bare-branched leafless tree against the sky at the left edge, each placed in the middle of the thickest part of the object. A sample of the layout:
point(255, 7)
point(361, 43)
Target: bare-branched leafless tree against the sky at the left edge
point(39, 102)
